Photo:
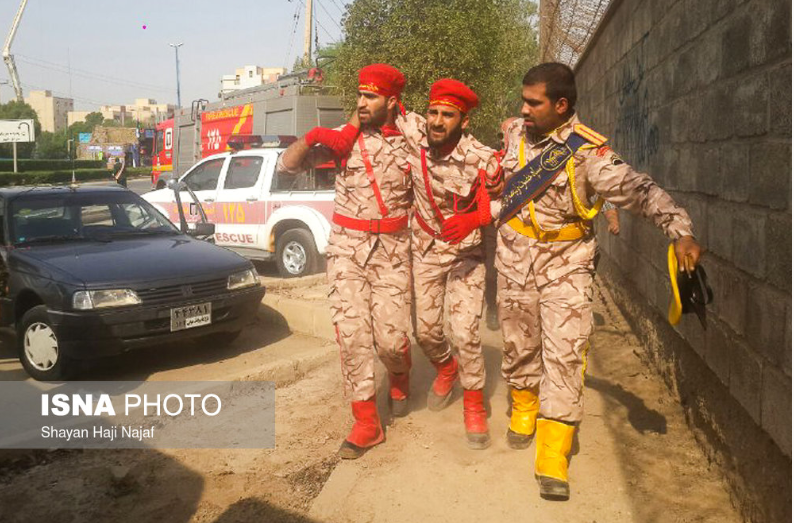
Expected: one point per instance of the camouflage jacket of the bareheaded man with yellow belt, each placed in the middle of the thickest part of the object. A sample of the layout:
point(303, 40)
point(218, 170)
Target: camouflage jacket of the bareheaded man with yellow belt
point(598, 171)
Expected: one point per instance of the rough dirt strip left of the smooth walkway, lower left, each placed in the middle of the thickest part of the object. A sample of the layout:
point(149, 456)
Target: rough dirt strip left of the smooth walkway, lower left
point(131, 486)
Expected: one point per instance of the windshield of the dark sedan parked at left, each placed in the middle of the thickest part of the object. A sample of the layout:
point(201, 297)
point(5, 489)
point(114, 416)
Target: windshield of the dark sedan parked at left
point(76, 216)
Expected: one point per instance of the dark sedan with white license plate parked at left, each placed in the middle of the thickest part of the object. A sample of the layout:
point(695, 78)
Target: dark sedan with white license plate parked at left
point(96, 271)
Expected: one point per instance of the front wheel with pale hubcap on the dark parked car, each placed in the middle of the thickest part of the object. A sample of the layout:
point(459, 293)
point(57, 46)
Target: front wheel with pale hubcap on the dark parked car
point(39, 350)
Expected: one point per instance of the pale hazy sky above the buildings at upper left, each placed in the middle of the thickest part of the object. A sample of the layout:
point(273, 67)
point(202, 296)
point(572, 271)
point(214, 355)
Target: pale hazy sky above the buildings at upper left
point(114, 60)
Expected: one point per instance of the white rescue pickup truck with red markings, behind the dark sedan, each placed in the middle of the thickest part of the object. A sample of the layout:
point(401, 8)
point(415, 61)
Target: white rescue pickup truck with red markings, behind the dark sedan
point(257, 212)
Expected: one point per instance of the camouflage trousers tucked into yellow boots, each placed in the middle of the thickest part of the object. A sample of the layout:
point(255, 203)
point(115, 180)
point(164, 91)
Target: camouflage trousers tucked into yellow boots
point(546, 331)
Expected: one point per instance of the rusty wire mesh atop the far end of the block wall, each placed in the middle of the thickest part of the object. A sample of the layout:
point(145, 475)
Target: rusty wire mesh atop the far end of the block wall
point(566, 26)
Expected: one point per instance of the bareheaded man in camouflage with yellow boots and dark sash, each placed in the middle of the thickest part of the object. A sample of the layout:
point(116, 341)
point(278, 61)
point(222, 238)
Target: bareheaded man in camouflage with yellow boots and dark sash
point(545, 262)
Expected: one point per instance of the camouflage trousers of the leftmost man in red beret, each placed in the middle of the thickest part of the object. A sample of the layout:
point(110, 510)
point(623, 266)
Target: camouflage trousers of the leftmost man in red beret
point(370, 308)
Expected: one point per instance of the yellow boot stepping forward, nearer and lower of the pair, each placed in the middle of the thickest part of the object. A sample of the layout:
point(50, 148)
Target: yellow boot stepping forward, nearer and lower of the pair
point(553, 446)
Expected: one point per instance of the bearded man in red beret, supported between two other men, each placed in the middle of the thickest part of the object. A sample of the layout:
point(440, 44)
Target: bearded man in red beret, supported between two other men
point(451, 173)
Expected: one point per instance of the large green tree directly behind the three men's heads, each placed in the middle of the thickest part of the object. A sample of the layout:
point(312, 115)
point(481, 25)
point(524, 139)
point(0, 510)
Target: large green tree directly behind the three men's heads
point(488, 44)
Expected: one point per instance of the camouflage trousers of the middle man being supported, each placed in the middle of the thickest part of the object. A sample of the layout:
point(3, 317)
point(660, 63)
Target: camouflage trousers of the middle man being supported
point(457, 282)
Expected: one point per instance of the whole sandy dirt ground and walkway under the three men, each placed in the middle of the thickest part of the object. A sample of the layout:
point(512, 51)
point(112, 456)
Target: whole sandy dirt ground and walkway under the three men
point(636, 460)
